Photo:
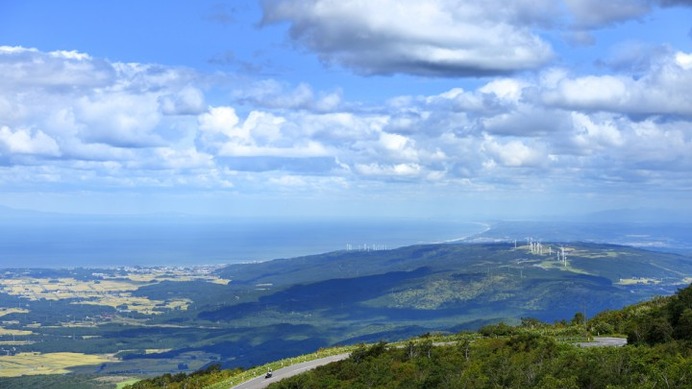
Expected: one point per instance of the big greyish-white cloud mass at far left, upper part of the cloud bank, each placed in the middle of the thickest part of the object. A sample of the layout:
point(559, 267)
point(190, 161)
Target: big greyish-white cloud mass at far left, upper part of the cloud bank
point(80, 101)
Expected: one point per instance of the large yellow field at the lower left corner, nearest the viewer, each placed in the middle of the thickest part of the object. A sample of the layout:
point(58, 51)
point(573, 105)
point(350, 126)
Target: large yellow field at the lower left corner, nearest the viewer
point(52, 363)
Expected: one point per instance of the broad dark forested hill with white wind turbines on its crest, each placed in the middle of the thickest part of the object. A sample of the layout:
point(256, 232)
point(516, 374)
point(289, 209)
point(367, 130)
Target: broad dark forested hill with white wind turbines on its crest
point(365, 296)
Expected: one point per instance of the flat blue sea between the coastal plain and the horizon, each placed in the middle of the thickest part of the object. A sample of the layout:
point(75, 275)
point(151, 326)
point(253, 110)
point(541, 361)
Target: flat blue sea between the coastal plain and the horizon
point(82, 242)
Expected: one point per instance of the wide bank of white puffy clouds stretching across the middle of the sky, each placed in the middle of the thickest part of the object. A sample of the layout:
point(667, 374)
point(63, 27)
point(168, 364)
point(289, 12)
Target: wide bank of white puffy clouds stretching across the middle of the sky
point(122, 125)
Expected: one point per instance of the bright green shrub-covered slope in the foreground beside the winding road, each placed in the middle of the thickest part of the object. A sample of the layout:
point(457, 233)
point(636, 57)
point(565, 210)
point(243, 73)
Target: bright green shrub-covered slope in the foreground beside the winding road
point(531, 355)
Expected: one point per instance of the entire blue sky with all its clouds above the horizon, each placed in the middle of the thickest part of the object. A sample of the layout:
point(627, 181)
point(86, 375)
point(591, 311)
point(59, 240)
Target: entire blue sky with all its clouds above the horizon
point(346, 108)
